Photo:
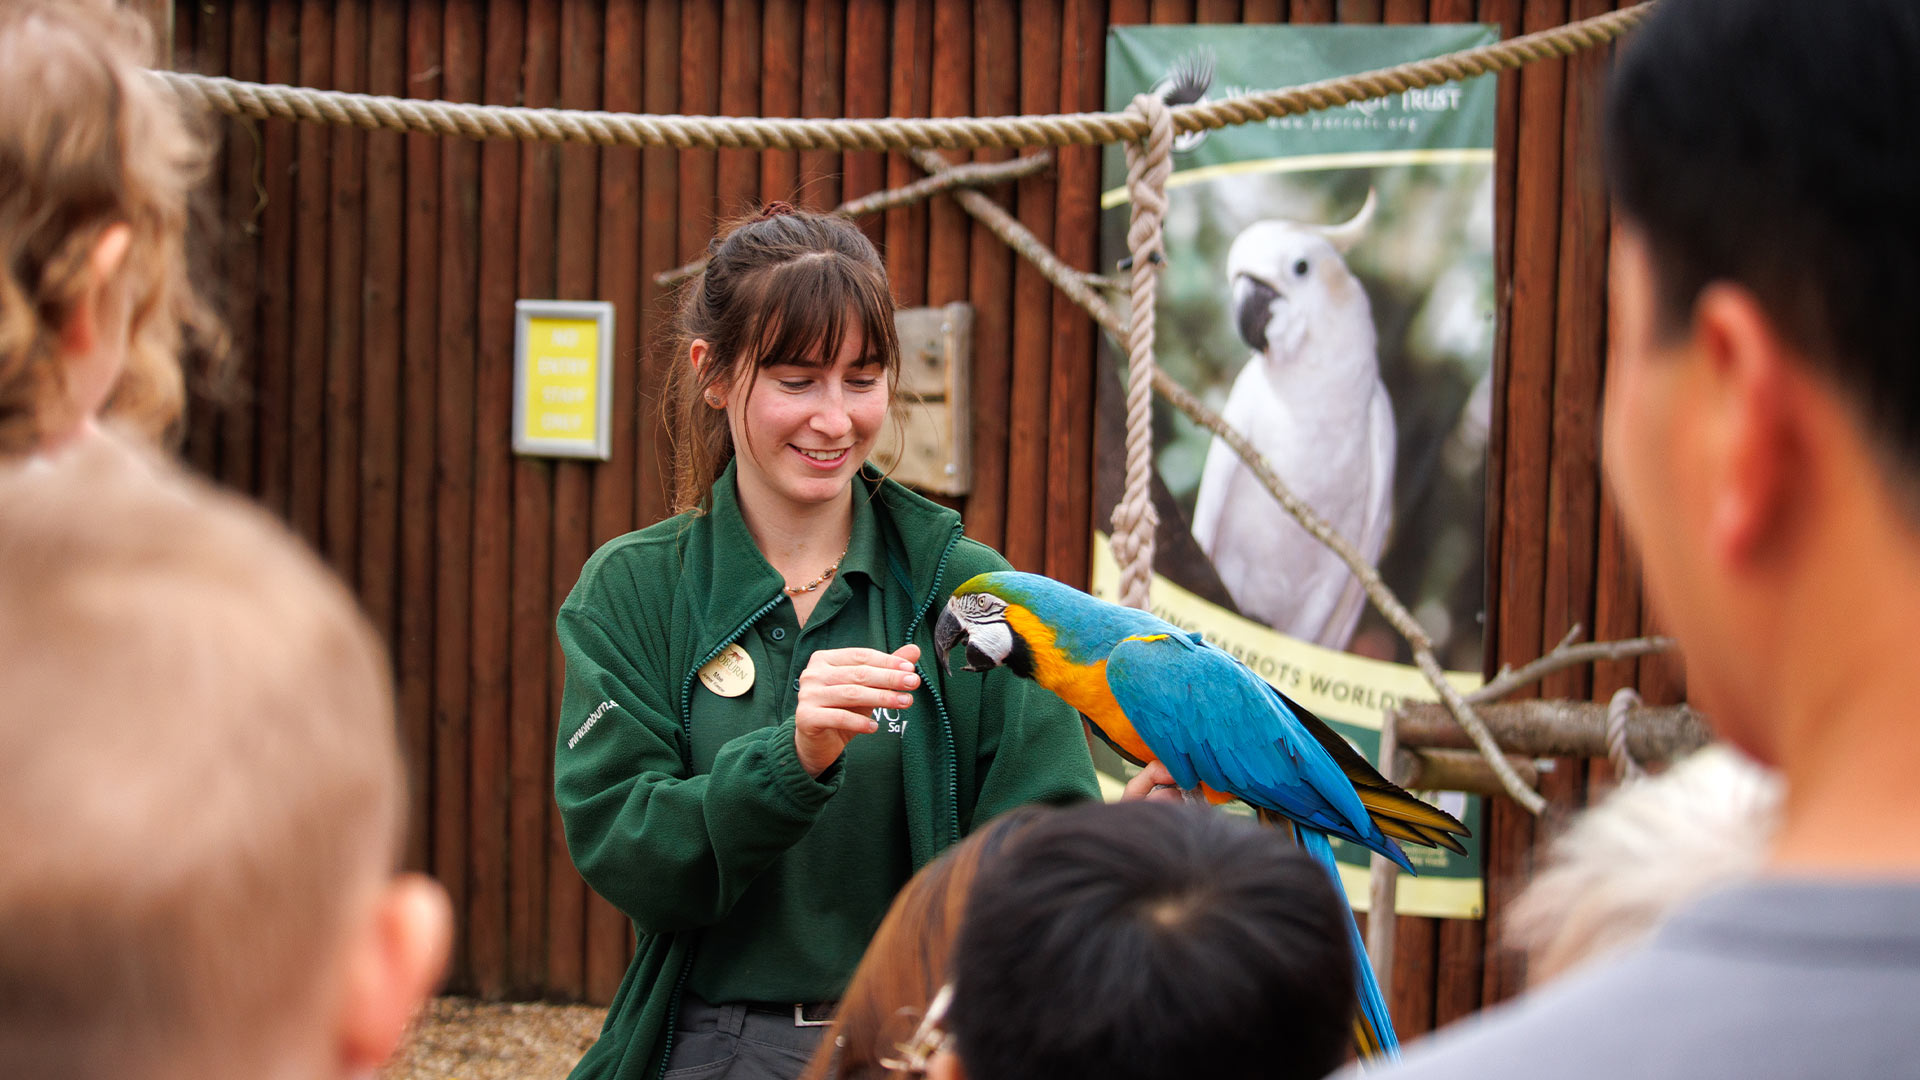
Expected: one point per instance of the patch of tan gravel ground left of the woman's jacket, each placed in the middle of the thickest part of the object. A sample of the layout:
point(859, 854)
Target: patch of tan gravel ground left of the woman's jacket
point(460, 1039)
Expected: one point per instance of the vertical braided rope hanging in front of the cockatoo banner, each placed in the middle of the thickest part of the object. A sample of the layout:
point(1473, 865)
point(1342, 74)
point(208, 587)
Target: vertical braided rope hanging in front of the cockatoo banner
point(1149, 168)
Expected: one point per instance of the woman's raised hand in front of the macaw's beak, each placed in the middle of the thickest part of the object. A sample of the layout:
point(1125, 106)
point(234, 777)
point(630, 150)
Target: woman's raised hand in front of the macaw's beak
point(840, 693)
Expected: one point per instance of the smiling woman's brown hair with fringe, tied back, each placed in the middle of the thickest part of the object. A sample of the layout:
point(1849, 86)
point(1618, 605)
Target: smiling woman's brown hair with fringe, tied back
point(779, 287)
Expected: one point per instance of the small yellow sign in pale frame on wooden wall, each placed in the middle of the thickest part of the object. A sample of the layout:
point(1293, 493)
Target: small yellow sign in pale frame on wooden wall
point(562, 378)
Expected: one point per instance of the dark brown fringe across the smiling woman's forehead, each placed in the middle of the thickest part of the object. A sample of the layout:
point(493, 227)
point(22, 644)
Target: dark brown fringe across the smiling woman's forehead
point(813, 303)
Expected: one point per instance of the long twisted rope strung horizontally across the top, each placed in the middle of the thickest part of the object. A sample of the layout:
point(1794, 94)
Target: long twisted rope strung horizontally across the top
point(880, 134)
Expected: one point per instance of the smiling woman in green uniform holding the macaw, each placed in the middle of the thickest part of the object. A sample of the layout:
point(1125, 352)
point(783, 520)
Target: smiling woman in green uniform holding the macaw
point(754, 754)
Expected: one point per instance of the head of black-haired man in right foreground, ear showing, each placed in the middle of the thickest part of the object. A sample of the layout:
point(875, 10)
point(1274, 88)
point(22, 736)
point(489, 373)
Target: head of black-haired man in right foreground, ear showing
point(1764, 405)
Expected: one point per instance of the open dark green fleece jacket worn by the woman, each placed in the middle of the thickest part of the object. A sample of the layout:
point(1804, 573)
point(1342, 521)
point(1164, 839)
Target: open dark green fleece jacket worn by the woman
point(673, 847)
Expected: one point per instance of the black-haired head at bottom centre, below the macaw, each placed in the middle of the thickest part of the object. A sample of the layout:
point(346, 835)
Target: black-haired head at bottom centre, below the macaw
point(1151, 941)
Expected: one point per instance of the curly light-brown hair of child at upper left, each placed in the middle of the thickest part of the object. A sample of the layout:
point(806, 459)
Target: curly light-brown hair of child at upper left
point(89, 141)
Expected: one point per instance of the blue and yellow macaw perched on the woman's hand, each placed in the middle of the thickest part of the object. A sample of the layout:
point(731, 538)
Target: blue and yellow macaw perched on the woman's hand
point(1161, 695)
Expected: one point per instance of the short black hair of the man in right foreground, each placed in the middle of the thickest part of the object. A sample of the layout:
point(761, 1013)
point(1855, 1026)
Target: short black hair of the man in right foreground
point(1771, 145)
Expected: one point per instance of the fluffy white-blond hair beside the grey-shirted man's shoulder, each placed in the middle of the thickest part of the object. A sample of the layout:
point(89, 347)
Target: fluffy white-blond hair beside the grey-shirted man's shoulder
point(1641, 854)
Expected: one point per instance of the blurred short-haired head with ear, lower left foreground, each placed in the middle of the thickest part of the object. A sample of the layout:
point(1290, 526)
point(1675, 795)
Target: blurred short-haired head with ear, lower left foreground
point(201, 791)
